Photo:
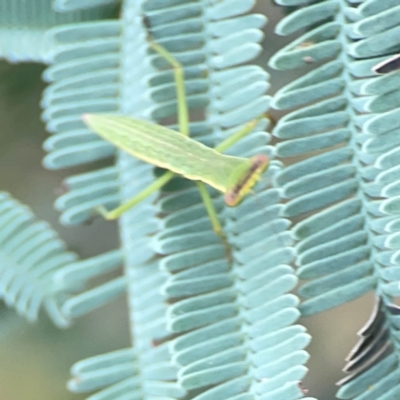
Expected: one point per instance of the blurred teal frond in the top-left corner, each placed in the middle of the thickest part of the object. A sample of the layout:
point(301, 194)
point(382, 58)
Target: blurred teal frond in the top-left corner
point(23, 27)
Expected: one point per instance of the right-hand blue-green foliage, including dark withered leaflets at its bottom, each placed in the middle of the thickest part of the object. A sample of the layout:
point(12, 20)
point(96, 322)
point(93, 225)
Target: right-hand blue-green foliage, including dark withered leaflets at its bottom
point(345, 121)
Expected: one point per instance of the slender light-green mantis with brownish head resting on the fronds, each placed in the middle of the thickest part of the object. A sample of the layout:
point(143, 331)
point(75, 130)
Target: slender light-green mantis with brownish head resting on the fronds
point(181, 155)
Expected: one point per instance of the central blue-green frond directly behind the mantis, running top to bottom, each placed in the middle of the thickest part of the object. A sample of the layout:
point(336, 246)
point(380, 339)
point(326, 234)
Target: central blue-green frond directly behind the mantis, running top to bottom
point(212, 296)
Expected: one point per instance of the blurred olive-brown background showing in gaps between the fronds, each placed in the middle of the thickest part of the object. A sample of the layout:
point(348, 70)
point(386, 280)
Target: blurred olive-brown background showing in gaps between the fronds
point(35, 359)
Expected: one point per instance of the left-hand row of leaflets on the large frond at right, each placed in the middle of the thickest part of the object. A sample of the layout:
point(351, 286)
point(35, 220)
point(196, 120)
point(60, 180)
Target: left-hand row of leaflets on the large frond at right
point(341, 245)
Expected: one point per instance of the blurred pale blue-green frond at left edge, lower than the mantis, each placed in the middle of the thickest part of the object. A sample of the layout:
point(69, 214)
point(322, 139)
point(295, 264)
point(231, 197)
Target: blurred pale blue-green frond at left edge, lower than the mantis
point(37, 271)
